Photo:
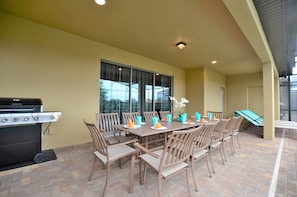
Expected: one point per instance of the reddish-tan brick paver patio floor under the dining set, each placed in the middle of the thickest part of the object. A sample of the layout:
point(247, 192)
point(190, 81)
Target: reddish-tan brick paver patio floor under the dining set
point(250, 172)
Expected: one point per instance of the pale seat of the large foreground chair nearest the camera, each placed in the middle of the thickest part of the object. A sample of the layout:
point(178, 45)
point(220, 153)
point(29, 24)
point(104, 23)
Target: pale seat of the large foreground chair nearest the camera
point(155, 163)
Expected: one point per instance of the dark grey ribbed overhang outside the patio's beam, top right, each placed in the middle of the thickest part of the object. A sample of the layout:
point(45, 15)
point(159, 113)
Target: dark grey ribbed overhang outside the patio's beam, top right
point(279, 21)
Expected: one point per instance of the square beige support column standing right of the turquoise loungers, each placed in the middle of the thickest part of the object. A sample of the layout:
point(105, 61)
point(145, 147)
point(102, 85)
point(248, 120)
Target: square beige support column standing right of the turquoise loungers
point(268, 86)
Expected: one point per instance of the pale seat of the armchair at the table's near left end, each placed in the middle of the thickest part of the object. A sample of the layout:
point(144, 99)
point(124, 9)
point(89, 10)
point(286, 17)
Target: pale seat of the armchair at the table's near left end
point(115, 152)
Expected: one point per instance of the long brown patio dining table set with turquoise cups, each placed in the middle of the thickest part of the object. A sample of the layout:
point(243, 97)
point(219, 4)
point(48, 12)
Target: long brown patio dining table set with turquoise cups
point(147, 130)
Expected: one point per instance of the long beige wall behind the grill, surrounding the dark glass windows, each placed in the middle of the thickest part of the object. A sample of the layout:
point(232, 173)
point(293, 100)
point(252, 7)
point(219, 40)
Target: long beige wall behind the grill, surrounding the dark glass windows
point(63, 70)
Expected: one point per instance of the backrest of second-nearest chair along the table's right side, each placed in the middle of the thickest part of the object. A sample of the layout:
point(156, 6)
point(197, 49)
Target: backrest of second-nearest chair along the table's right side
point(204, 136)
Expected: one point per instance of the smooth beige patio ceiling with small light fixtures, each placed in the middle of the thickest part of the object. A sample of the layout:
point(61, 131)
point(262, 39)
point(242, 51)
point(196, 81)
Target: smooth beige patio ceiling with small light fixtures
point(151, 28)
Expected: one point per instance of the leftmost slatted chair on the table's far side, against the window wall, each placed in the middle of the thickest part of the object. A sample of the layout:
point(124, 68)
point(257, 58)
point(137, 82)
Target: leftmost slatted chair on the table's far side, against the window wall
point(105, 123)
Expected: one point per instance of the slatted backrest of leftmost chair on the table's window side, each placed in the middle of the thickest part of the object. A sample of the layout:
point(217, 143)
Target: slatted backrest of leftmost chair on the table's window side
point(105, 121)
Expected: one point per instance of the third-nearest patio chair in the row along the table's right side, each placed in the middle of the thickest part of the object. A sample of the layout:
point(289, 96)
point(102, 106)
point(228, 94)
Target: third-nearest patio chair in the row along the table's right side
point(217, 139)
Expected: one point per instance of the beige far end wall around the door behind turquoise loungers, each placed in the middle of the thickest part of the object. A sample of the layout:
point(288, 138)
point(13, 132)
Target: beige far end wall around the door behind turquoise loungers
point(237, 91)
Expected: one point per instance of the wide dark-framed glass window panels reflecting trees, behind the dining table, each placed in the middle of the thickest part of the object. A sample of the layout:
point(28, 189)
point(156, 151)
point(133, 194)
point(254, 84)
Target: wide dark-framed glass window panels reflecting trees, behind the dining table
point(125, 89)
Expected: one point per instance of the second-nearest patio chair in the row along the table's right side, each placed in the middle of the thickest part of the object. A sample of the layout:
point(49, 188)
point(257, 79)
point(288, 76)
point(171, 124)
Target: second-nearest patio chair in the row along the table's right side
point(201, 147)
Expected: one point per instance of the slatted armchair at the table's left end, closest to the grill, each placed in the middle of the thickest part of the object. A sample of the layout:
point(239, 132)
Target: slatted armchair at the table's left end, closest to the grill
point(108, 154)
